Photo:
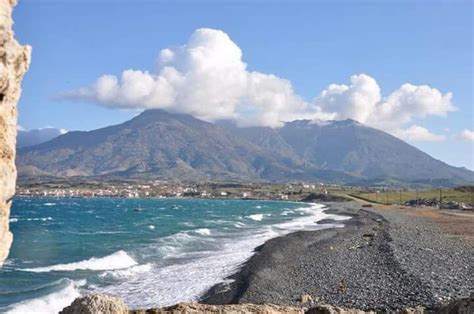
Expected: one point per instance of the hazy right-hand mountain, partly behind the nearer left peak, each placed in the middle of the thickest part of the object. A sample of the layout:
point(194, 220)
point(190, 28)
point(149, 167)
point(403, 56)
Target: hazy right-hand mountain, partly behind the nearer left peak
point(353, 148)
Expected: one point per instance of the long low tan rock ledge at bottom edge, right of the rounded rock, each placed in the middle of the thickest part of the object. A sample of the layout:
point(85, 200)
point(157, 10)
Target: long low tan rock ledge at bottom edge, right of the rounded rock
point(191, 308)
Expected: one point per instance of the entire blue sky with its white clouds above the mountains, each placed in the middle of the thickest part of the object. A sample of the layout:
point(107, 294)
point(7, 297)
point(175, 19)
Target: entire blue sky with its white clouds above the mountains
point(405, 67)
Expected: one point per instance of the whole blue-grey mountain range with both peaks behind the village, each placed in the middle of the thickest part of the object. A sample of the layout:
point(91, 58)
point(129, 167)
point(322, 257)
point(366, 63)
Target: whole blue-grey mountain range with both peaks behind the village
point(161, 145)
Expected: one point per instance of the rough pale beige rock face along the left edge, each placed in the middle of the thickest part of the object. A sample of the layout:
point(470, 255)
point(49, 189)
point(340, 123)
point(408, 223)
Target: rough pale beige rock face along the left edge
point(14, 61)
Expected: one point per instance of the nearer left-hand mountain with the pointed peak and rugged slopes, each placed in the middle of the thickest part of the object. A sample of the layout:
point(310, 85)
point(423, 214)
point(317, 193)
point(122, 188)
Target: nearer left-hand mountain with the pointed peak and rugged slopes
point(155, 144)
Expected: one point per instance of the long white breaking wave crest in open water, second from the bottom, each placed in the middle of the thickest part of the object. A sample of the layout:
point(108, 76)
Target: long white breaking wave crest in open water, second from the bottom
point(117, 260)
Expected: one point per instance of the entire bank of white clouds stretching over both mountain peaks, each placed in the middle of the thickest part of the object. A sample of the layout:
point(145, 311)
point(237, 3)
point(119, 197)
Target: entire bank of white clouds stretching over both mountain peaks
point(208, 79)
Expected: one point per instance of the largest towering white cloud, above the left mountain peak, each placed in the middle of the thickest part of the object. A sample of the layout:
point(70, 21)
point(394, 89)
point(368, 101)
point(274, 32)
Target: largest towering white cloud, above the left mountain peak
point(206, 78)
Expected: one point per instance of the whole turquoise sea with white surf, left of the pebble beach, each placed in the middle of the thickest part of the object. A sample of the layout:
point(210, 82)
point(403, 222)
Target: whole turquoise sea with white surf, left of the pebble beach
point(151, 252)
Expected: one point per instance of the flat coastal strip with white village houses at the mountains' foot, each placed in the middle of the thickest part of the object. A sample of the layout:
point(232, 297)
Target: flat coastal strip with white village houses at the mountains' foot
point(446, 198)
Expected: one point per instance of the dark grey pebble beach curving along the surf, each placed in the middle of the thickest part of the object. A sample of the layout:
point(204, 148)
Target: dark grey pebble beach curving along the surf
point(385, 258)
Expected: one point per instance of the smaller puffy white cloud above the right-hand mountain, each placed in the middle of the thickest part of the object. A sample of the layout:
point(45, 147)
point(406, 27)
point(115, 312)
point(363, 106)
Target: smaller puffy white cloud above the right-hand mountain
point(363, 102)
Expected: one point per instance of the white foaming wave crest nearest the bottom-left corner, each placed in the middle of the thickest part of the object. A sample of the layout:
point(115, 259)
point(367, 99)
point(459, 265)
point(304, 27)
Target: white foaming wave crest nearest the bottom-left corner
point(48, 304)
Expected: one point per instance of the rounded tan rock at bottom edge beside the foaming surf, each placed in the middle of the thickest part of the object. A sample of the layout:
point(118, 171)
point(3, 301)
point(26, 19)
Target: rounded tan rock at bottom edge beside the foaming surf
point(96, 304)
